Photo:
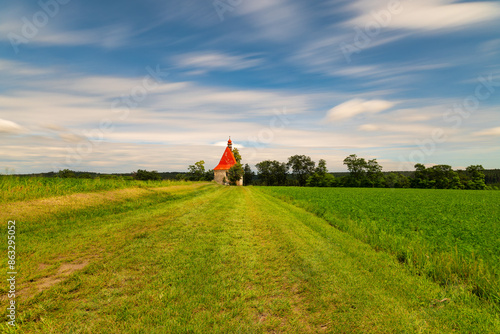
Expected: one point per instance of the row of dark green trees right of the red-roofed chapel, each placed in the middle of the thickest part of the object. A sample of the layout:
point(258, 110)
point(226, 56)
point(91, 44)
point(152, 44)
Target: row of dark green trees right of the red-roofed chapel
point(301, 170)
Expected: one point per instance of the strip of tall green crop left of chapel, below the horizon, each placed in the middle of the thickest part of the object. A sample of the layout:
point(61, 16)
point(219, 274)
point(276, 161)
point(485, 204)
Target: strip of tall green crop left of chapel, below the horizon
point(21, 188)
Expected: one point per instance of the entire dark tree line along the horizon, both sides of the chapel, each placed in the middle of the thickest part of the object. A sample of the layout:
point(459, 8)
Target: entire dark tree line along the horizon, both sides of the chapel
point(301, 170)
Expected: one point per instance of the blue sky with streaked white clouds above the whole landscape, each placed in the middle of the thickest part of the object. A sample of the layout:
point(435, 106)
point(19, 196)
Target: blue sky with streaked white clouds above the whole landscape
point(116, 86)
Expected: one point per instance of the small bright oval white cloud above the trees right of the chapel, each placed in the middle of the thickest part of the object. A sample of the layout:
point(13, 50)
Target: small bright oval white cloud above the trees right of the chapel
point(356, 107)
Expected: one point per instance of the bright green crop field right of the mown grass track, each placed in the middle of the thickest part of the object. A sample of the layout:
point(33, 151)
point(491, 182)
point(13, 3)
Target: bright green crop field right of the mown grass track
point(451, 236)
